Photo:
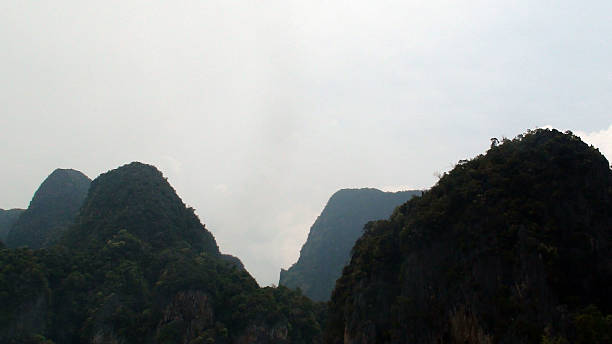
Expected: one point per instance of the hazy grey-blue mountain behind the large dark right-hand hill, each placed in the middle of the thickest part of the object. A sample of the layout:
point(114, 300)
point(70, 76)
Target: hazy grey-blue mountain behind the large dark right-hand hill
point(327, 249)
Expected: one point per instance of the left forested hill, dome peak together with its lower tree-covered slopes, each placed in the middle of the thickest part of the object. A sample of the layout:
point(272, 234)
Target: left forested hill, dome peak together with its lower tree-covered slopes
point(139, 267)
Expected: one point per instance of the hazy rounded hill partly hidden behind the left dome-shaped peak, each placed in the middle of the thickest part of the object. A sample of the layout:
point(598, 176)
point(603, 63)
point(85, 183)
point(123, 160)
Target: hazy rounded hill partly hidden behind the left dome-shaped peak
point(52, 209)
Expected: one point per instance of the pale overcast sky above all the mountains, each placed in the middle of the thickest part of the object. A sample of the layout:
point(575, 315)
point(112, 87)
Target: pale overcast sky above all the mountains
point(257, 111)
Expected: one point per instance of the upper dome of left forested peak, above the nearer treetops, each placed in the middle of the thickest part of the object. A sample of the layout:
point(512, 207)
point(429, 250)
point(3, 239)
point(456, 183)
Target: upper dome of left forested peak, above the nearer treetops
point(137, 198)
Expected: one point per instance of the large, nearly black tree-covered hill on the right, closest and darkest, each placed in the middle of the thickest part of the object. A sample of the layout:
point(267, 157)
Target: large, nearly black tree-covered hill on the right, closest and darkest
point(510, 247)
